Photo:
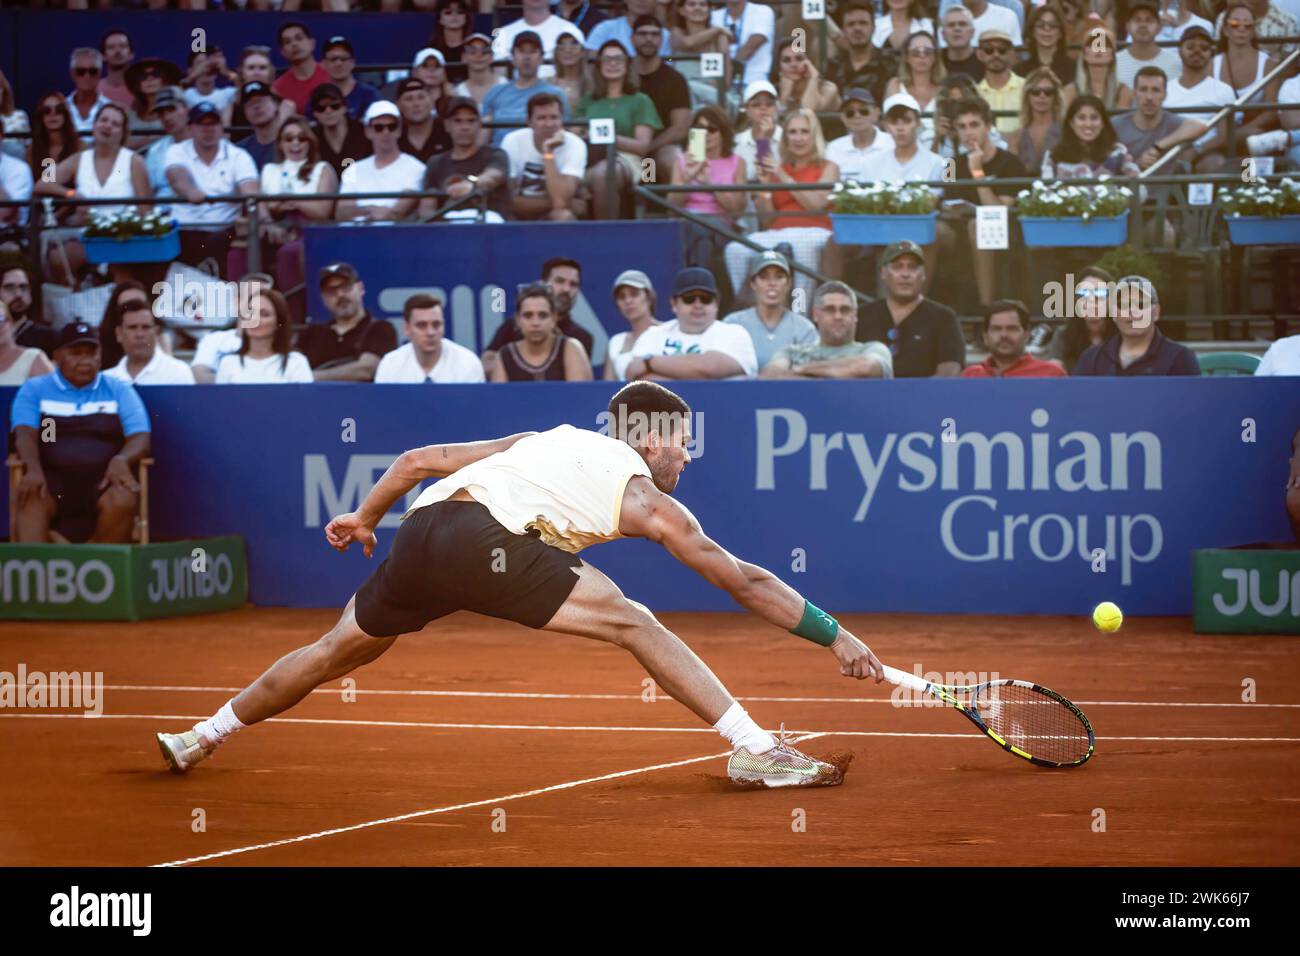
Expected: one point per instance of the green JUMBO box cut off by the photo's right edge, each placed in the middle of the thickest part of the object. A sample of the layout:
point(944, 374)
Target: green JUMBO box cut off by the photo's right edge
point(1246, 591)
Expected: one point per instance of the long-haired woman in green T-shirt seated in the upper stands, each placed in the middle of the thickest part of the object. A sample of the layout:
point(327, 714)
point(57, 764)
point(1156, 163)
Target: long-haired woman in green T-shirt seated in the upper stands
point(618, 97)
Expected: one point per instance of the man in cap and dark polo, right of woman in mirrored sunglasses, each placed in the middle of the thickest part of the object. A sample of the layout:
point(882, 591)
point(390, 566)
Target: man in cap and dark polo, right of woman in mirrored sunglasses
point(1139, 349)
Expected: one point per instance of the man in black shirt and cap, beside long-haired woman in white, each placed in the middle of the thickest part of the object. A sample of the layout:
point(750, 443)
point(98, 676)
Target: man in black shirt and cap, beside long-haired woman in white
point(349, 348)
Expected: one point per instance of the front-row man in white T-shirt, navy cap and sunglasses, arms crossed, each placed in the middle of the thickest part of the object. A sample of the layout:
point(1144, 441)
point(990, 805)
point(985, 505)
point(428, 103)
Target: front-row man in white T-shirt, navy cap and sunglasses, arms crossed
point(695, 345)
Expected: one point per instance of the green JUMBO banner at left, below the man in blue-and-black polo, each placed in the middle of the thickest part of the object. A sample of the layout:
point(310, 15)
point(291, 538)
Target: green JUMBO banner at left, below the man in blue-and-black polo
point(123, 582)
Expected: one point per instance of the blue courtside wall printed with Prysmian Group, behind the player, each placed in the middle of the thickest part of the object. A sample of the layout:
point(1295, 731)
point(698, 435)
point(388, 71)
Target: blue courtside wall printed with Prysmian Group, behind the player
point(848, 491)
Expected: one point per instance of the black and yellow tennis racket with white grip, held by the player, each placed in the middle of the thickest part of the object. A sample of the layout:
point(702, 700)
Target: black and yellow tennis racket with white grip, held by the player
point(1024, 719)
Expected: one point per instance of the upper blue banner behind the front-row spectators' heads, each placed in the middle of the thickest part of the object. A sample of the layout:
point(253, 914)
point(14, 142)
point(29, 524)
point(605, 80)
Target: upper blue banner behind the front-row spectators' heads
point(478, 269)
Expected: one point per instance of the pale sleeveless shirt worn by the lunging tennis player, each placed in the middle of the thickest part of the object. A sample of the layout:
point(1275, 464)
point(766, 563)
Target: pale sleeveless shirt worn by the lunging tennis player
point(567, 485)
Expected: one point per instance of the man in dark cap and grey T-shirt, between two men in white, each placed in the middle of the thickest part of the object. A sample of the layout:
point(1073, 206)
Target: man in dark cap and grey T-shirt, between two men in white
point(469, 167)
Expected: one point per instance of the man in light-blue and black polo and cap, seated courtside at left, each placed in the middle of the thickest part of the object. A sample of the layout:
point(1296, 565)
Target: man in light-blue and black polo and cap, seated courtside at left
point(81, 487)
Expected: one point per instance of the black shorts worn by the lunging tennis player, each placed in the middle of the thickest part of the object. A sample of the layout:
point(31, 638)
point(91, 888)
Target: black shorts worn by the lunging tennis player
point(454, 556)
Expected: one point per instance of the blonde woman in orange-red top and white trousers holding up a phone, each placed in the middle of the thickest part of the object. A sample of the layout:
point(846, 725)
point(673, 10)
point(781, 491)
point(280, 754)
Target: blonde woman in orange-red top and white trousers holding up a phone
point(795, 218)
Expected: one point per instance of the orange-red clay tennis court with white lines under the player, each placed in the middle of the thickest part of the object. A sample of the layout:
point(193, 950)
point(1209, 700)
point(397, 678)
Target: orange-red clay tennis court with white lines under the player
point(475, 716)
